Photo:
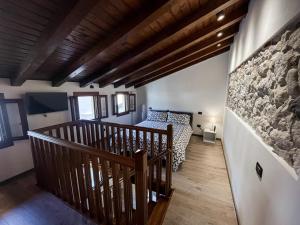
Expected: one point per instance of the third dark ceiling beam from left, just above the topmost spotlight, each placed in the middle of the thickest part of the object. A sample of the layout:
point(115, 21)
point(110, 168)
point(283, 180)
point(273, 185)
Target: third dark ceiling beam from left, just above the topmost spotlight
point(113, 71)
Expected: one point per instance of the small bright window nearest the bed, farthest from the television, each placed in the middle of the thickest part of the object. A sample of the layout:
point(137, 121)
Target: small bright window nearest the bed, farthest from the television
point(120, 103)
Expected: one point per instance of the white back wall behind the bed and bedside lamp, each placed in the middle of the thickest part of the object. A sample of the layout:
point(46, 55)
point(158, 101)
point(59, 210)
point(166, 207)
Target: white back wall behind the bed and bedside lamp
point(199, 88)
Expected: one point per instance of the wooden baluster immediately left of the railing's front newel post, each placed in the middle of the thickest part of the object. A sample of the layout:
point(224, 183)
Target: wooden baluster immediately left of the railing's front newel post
point(127, 195)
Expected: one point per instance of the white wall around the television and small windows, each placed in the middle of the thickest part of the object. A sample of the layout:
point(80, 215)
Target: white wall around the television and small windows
point(17, 158)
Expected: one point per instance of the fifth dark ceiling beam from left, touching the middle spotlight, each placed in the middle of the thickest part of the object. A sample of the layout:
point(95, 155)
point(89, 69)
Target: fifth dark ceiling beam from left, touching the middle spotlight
point(165, 61)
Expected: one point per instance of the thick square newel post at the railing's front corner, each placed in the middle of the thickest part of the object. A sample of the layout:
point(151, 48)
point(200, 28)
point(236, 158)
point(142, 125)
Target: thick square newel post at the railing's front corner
point(141, 187)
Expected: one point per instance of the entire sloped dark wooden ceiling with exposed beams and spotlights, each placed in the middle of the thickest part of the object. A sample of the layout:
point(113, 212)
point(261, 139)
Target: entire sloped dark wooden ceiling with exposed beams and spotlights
point(119, 42)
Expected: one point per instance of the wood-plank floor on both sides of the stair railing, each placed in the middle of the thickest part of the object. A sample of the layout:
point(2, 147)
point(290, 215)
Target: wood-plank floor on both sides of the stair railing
point(202, 195)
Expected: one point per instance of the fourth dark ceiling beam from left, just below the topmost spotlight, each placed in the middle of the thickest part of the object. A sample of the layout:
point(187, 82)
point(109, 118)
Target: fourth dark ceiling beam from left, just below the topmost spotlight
point(207, 31)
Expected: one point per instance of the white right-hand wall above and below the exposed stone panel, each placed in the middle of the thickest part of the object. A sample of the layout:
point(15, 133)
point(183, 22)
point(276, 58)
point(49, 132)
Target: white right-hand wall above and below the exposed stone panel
point(276, 199)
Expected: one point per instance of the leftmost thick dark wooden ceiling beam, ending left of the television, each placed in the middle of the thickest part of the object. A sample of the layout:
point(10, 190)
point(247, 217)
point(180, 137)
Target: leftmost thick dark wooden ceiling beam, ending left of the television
point(53, 36)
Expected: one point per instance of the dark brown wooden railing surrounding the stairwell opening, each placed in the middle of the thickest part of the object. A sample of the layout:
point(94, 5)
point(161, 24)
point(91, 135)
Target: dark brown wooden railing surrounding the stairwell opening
point(104, 170)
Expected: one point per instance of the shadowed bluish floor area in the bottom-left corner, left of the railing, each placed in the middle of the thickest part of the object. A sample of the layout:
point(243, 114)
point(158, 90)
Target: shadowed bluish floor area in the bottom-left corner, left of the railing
point(23, 203)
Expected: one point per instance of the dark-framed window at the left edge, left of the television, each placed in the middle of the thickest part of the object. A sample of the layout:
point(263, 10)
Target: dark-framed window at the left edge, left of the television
point(13, 121)
